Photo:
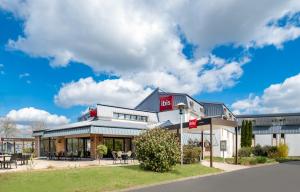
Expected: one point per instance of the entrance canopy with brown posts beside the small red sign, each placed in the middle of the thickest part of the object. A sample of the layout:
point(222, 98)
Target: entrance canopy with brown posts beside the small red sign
point(206, 124)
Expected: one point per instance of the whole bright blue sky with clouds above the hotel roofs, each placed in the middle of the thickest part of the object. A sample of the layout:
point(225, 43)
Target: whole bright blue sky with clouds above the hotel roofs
point(221, 62)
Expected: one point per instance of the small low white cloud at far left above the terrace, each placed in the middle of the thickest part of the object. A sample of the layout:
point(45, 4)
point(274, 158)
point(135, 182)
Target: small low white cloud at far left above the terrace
point(27, 116)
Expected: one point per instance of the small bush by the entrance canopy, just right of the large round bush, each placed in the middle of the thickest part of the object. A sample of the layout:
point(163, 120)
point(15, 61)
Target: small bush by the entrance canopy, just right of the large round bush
point(191, 154)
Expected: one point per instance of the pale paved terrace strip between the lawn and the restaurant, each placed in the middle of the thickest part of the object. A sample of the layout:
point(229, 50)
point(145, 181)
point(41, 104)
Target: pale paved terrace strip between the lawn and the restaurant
point(60, 164)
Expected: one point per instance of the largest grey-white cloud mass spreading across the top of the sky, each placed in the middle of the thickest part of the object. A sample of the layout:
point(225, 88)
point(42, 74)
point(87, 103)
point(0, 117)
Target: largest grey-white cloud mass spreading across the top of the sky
point(138, 41)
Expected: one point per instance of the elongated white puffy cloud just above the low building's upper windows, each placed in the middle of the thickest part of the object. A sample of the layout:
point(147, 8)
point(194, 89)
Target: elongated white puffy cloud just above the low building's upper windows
point(89, 92)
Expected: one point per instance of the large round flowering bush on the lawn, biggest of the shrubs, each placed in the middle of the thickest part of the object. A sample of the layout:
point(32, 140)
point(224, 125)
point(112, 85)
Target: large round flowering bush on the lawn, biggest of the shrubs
point(157, 150)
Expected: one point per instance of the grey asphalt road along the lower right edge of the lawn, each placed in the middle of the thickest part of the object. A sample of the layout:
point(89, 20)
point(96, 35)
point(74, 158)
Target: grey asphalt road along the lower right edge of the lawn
point(284, 177)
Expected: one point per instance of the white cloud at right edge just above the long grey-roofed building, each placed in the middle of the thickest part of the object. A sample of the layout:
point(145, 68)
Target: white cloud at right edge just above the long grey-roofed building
point(281, 97)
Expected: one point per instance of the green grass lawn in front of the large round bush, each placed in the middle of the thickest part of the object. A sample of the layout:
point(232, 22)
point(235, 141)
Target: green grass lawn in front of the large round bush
point(93, 178)
